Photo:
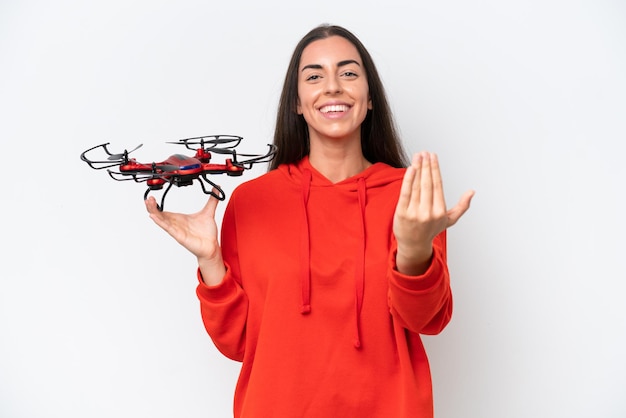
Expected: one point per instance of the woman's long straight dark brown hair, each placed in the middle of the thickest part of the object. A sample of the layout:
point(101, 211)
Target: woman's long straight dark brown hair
point(379, 138)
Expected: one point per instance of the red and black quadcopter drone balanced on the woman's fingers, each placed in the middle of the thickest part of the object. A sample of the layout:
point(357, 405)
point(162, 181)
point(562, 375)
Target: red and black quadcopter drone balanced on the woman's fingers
point(178, 169)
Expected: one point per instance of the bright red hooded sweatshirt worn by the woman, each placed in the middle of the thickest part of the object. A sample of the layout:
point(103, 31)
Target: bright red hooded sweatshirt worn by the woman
point(312, 304)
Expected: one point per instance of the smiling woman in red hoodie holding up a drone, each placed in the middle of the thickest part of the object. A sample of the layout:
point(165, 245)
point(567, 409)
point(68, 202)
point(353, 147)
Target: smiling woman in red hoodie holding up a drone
point(333, 262)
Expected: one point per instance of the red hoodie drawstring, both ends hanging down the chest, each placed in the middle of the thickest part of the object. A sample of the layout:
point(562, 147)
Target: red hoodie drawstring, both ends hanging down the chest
point(305, 248)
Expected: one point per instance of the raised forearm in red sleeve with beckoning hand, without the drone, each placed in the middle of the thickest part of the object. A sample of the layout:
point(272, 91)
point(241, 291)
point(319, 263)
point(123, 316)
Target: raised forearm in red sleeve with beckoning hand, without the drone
point(419, 282)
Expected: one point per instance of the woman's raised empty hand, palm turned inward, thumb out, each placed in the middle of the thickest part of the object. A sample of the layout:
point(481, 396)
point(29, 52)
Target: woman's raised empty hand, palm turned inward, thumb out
point(421, 213)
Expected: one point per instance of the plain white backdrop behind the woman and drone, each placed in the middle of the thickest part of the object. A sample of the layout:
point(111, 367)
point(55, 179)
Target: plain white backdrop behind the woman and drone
point(524, 101)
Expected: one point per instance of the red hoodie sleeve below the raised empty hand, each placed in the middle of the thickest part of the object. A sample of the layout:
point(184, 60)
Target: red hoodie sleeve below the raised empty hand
point(422, 304)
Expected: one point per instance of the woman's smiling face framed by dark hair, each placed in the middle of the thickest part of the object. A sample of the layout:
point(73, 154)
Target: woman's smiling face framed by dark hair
point(333, 95)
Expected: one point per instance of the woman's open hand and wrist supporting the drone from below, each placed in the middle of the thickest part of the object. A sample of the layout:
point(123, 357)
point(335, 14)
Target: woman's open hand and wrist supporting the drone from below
point(196, 232)
